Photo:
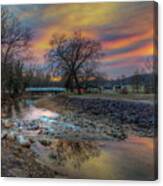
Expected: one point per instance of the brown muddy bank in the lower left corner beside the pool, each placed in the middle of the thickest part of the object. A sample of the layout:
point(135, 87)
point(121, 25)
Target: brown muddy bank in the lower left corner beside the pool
point(20, 162)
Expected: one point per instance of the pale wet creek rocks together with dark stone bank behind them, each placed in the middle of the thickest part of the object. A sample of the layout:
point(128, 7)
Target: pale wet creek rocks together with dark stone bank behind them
point(94, 119)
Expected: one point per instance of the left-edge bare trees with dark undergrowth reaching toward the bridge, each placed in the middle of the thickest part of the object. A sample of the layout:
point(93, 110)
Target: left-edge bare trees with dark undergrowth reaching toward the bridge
point(16, 71)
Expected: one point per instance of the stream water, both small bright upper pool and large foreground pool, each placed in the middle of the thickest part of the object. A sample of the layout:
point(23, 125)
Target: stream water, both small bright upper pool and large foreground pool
point(133, 158)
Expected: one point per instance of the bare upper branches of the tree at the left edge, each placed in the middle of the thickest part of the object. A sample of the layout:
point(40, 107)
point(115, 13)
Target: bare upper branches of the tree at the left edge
point(15, 38)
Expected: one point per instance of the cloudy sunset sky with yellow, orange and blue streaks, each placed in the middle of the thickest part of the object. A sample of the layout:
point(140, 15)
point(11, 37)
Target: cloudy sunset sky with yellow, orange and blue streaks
point(125, 30)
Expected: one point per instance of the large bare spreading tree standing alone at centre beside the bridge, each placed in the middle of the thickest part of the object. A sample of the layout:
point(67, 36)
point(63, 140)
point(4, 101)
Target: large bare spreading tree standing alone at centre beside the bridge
point(70, 56)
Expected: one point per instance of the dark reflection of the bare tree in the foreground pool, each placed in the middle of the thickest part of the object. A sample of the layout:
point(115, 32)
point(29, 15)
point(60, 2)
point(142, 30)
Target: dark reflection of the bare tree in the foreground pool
point(74, 153)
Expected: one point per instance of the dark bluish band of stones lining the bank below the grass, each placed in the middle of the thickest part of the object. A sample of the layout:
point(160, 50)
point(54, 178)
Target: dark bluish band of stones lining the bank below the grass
point(122, 111)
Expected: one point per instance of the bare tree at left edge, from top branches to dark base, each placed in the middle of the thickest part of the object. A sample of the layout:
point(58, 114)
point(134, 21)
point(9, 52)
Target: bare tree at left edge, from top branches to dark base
point(14, 44)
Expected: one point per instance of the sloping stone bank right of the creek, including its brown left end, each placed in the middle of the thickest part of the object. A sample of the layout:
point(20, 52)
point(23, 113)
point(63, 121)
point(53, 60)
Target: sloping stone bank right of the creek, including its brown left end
point(125, 117)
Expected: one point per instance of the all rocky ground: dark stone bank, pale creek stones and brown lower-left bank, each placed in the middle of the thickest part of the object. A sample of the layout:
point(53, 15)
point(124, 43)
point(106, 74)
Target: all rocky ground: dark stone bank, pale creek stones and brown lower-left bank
point(26, 140)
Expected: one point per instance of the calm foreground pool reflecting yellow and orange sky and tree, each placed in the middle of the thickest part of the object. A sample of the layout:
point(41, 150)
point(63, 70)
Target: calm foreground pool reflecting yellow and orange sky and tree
point(130, 159)
